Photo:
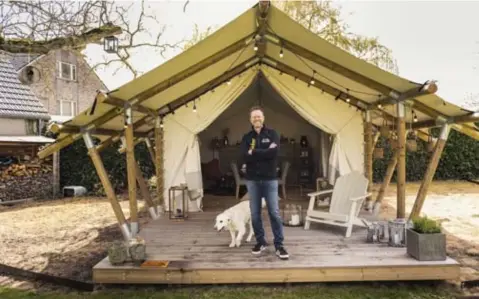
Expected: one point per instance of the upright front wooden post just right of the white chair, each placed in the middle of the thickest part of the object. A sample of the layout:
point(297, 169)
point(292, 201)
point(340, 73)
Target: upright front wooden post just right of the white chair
point(401, 164)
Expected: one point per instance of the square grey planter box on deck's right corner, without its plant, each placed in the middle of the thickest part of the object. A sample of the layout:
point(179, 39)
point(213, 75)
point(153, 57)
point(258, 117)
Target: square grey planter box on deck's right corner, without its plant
point(426, 247)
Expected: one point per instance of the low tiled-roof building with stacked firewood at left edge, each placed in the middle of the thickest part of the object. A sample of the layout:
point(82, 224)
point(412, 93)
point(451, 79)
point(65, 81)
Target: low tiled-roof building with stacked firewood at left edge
point(22, 117)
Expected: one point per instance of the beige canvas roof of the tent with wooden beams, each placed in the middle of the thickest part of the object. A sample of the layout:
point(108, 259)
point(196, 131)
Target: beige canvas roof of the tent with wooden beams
point(229, 52)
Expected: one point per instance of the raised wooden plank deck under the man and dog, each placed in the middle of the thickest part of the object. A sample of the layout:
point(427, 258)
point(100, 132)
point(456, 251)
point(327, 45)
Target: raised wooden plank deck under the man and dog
point(197, 254)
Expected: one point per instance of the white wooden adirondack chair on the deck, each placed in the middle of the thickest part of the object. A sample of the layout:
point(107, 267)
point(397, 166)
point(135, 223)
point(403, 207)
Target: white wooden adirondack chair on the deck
point(347, 197)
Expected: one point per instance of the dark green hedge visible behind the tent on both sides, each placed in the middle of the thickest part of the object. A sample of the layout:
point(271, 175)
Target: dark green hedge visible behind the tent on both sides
point(460, 161)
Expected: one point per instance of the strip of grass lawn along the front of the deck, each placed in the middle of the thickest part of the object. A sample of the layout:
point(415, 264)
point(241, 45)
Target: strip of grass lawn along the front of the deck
point(342, 291)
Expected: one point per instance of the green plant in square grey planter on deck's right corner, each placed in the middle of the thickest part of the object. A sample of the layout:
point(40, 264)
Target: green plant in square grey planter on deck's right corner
point(425, 240)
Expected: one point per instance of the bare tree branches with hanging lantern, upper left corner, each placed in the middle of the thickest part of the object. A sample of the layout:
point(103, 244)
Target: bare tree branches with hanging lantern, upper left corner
point(39, 27)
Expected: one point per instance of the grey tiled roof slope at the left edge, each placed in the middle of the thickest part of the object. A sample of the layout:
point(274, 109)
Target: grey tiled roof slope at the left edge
point(16, 99)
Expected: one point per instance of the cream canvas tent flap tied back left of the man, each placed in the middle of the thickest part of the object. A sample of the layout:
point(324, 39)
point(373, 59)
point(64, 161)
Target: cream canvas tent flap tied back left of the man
point(182, 150)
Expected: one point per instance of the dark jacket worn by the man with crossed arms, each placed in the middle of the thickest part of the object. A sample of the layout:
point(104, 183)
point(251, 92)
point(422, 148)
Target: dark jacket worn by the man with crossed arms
point(262, 163)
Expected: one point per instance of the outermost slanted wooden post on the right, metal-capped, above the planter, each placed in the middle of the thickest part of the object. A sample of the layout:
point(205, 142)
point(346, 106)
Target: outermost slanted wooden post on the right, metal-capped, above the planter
point(431, 169)
